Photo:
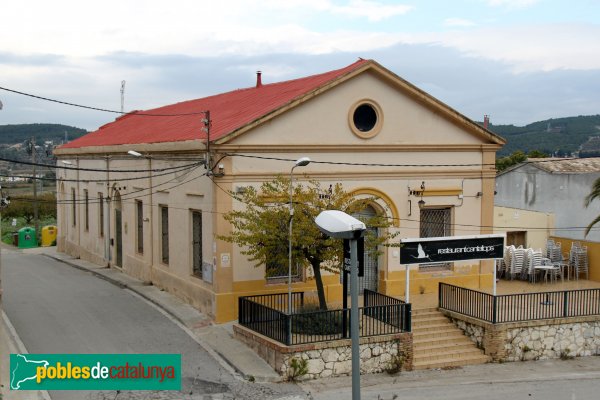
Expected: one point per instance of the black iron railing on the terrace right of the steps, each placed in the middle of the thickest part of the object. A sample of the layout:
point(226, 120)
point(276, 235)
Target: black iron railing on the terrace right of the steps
point(519, 307)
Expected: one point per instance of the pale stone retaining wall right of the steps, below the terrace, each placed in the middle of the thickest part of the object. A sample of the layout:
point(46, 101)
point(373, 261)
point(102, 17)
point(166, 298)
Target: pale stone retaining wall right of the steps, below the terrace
point(533, 340)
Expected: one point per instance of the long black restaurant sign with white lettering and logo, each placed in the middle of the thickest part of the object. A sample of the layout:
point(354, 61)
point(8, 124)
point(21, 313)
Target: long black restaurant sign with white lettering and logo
point(451, 248)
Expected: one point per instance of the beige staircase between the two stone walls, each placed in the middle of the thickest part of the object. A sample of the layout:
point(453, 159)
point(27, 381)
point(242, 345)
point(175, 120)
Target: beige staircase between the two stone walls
point(438, 343)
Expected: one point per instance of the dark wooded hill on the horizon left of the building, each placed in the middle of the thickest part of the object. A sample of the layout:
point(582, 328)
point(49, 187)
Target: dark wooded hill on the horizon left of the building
point(12, 134)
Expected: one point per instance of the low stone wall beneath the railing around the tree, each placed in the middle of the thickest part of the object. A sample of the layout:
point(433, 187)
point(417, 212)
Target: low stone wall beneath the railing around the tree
point(332, 358)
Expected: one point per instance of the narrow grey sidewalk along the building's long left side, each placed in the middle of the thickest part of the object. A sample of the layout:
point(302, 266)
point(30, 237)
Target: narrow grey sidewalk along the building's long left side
point(217, 340)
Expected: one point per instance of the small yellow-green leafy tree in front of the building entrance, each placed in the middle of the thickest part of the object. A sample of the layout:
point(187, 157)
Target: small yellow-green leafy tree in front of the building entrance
point(262, 227)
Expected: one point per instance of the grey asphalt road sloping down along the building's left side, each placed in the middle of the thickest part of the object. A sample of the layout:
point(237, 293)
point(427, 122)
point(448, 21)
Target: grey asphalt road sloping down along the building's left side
point(58, 309)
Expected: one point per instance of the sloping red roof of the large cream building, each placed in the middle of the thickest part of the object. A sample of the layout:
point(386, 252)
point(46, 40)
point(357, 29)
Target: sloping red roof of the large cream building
point(228, 111)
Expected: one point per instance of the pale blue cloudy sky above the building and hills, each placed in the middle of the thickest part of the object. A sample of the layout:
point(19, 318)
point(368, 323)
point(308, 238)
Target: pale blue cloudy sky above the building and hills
point(519, 61)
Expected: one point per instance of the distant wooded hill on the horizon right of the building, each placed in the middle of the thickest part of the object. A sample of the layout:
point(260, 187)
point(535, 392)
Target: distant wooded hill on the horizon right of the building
point(558, 136)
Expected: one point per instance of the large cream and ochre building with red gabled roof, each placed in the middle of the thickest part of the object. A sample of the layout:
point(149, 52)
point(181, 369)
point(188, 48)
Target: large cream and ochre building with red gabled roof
point(156, 212)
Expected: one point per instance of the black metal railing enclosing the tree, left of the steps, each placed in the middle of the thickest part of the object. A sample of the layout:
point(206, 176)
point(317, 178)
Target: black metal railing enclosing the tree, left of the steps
point(265, 314)
